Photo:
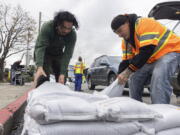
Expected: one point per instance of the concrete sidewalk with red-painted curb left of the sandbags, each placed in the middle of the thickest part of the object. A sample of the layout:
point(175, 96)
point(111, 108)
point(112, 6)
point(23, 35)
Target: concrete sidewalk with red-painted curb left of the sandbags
point(12, 104)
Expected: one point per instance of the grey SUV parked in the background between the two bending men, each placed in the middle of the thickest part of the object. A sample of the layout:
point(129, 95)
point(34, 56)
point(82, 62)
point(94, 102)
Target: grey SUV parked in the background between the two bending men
point(103, 71)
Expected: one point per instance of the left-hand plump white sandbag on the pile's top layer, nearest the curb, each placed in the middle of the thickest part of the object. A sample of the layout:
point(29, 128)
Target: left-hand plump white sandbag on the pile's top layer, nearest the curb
point(66, 108)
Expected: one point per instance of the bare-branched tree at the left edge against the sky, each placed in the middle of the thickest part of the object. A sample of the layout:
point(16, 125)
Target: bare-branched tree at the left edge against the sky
point(17, 29)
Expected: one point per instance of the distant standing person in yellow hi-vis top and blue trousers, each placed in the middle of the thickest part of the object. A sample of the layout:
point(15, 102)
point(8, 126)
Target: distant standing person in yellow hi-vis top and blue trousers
point(78, 70)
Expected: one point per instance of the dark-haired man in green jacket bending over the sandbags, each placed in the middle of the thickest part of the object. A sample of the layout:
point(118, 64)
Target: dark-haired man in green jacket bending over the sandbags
point(54, 47)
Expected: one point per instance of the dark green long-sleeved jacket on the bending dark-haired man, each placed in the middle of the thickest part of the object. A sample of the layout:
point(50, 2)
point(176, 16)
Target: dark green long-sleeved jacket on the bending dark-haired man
point(52, 44)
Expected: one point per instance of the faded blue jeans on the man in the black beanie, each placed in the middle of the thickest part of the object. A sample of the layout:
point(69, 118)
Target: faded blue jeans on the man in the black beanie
point(159, 73)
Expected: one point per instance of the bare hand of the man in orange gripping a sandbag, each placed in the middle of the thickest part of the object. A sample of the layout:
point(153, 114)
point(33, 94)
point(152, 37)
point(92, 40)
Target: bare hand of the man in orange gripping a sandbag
point(124, 76)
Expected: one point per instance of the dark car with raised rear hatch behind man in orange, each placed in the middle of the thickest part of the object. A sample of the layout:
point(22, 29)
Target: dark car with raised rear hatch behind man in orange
point(171, 11)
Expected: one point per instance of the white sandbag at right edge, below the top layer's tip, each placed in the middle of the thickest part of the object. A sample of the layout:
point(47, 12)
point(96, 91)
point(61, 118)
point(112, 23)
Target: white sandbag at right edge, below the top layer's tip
point(171, 117)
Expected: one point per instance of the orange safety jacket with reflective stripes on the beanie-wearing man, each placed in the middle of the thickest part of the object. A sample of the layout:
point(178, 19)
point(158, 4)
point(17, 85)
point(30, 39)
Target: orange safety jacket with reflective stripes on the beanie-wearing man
point(147, 32)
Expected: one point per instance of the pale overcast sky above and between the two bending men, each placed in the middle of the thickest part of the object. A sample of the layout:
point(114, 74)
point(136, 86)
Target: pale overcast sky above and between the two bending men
point(94, 37)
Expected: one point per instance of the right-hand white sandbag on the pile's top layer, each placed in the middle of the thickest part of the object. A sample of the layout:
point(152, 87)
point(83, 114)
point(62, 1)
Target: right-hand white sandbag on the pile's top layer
point(122, 109)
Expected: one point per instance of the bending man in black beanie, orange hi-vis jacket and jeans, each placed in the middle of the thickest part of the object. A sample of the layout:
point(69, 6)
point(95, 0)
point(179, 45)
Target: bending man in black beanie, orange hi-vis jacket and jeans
point(150, 52)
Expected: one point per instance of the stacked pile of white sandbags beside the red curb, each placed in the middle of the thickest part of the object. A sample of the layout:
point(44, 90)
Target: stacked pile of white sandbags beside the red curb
point(54, 109)
